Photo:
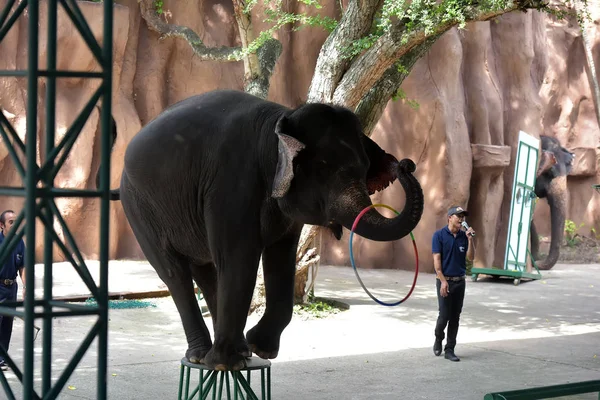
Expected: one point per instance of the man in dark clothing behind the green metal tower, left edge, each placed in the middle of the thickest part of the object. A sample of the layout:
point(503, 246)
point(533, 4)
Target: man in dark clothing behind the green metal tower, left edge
point(8, 279)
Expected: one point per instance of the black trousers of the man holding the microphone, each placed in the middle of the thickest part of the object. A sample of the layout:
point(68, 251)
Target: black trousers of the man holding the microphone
point(449, 308)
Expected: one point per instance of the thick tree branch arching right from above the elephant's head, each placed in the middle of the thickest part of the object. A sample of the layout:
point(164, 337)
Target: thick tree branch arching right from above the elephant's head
point(369, 67)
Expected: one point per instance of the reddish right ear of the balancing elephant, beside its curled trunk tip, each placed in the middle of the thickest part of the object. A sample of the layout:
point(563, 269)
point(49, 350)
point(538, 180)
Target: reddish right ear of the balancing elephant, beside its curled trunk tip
point(383, 169)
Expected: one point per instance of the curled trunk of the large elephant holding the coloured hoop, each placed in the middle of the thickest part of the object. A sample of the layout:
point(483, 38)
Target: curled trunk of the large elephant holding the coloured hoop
point(373, 225)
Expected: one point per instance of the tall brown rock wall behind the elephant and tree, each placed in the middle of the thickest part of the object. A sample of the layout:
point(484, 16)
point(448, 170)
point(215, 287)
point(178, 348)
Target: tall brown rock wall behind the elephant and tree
point(476, 88)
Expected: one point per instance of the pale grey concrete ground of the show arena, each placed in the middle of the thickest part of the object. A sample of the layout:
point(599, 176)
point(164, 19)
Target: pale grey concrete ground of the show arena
point(539, 333)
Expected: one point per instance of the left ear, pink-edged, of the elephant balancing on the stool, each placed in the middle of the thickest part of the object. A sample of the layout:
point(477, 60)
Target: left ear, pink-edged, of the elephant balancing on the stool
point(288, 148)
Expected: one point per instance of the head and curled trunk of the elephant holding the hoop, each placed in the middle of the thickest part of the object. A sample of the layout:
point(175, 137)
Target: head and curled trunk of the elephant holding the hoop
point(327, 168)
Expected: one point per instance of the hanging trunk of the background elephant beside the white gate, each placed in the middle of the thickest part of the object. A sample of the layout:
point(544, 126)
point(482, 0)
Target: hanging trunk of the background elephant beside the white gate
point(557, 200)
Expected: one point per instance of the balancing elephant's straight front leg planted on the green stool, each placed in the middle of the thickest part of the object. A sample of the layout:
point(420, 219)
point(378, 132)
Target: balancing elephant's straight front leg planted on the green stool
point(237, 269)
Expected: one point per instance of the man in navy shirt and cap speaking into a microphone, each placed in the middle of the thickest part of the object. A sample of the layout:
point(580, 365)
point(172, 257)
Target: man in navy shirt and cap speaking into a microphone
point(450, 246)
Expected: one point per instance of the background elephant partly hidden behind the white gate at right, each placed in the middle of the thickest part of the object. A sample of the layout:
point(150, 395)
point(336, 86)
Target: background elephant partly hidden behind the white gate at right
point(556, 162)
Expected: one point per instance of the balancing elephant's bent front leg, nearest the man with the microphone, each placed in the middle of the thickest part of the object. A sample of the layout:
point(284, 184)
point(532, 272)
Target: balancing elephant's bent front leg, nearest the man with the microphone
point(279, 267)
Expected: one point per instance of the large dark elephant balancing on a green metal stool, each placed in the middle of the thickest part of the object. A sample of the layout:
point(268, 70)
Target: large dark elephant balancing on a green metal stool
point(221, 179)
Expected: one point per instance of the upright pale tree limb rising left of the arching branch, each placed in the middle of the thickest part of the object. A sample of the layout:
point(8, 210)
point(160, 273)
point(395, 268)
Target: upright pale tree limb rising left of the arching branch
point(331, 64)
